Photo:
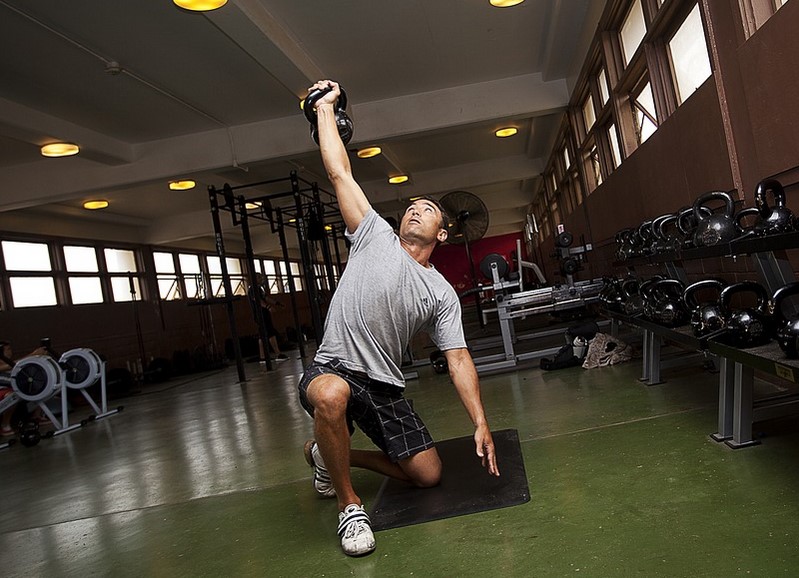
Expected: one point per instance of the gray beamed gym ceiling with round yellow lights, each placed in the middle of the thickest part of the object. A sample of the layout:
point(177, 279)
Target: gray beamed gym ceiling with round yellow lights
point(153, 93)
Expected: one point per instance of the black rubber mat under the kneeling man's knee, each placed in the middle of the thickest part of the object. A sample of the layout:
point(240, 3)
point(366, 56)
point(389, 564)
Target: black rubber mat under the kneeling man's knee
point(466, 487)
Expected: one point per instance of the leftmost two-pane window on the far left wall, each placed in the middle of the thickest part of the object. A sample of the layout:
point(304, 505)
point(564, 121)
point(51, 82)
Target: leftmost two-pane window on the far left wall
point(27, 259)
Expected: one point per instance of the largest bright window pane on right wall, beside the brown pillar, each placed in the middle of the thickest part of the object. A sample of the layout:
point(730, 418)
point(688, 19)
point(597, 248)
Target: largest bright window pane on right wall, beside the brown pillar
point(689, 56)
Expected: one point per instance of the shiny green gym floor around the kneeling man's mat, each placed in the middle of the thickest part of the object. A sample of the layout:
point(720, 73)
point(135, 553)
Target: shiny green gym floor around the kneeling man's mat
point(204, 476)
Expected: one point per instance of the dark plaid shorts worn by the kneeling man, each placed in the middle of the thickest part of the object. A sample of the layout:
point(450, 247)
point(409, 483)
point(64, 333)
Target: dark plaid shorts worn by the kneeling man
point(379, 409)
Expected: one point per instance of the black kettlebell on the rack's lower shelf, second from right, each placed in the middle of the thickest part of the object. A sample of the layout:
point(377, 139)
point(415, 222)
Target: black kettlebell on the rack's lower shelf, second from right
point(747, 326)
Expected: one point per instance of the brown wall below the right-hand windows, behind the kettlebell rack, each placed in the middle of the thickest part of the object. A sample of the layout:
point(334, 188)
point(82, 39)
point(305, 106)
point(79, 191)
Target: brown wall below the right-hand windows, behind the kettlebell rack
point(689, 154)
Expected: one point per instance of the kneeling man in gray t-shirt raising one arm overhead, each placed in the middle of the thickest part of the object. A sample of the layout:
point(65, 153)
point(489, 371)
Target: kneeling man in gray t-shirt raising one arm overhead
point(388, 292)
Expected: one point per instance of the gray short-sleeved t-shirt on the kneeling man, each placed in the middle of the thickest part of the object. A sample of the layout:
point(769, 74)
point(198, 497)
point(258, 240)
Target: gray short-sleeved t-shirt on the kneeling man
point(383, 299)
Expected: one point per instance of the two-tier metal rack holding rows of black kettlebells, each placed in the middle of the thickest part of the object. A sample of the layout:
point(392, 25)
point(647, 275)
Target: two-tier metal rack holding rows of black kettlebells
point(737, 407)
